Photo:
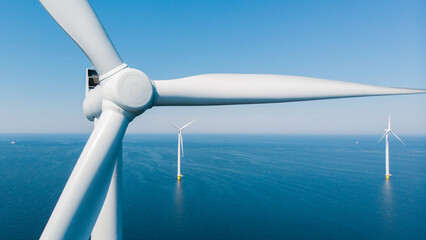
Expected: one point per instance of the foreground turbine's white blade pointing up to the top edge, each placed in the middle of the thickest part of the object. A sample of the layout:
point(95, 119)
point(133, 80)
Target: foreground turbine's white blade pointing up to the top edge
point(78, 19)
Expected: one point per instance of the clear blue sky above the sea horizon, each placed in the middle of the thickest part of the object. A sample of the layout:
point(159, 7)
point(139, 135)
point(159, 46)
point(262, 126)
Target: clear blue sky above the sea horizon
point(374, 42)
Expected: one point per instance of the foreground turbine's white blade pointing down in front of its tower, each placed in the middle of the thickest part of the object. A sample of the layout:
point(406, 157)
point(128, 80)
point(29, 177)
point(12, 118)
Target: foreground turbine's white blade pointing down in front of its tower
point(81, 200)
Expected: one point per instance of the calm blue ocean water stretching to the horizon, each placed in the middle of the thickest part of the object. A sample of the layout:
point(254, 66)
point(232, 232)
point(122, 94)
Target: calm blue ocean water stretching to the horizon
point(234, 186)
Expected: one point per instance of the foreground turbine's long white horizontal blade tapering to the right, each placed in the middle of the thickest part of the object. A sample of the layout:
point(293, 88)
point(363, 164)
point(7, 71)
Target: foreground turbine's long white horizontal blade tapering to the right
point(224, 89)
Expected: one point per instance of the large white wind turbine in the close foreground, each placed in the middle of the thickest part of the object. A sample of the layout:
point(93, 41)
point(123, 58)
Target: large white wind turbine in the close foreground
point(90, 200)
